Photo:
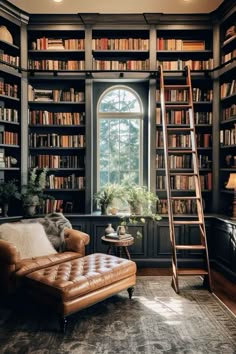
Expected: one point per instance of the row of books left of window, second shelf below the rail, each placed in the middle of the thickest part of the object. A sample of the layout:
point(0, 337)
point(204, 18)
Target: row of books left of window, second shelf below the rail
point(38, 117)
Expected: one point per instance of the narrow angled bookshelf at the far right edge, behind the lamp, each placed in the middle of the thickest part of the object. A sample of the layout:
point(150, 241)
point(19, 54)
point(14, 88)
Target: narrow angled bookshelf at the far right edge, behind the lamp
point(227, 124)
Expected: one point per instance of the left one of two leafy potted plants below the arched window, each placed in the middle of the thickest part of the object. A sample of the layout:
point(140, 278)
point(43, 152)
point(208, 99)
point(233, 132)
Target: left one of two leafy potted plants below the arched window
point(107, 194)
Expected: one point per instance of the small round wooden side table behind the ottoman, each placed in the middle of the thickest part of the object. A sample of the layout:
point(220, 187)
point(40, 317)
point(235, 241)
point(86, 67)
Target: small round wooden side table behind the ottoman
point(118, 245)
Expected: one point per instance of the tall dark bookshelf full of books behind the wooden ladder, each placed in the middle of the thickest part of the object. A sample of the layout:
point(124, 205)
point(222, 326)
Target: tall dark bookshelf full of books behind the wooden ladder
point(174, 49)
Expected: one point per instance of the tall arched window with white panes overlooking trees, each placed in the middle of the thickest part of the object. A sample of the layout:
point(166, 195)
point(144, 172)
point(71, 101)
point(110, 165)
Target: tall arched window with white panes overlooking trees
point(120, 136)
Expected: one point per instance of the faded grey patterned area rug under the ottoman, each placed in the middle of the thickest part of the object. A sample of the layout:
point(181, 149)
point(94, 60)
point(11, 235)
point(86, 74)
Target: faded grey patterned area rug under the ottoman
point(156, 320)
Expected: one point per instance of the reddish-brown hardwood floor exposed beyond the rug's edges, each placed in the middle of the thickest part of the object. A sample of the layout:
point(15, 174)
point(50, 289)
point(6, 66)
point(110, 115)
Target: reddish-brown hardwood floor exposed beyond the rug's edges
point(222, 288)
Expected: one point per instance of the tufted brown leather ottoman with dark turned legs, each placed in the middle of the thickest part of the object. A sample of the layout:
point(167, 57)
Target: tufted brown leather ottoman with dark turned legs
point(78, 283)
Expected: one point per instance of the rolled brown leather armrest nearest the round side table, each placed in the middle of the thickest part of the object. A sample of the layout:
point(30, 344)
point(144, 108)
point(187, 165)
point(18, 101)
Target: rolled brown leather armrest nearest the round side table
point(76, 240)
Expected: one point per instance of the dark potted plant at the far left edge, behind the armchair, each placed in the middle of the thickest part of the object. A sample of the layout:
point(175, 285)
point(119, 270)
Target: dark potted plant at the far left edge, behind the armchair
point(8, 191)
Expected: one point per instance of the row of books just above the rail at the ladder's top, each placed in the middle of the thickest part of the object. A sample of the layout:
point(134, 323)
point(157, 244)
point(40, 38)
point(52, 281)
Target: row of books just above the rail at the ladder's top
point(181, 64)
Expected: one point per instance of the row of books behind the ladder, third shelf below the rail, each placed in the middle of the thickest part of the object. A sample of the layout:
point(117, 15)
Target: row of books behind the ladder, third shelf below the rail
point(183, 140)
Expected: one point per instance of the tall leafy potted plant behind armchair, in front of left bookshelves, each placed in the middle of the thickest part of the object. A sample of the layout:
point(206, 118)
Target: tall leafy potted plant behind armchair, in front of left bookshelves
point(32, 194)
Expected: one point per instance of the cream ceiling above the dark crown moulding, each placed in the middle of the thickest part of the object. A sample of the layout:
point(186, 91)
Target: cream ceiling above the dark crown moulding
point(117, 6)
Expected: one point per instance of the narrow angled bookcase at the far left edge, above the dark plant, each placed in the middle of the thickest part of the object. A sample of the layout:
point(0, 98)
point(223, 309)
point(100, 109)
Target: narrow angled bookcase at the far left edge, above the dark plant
point(10, 102)
